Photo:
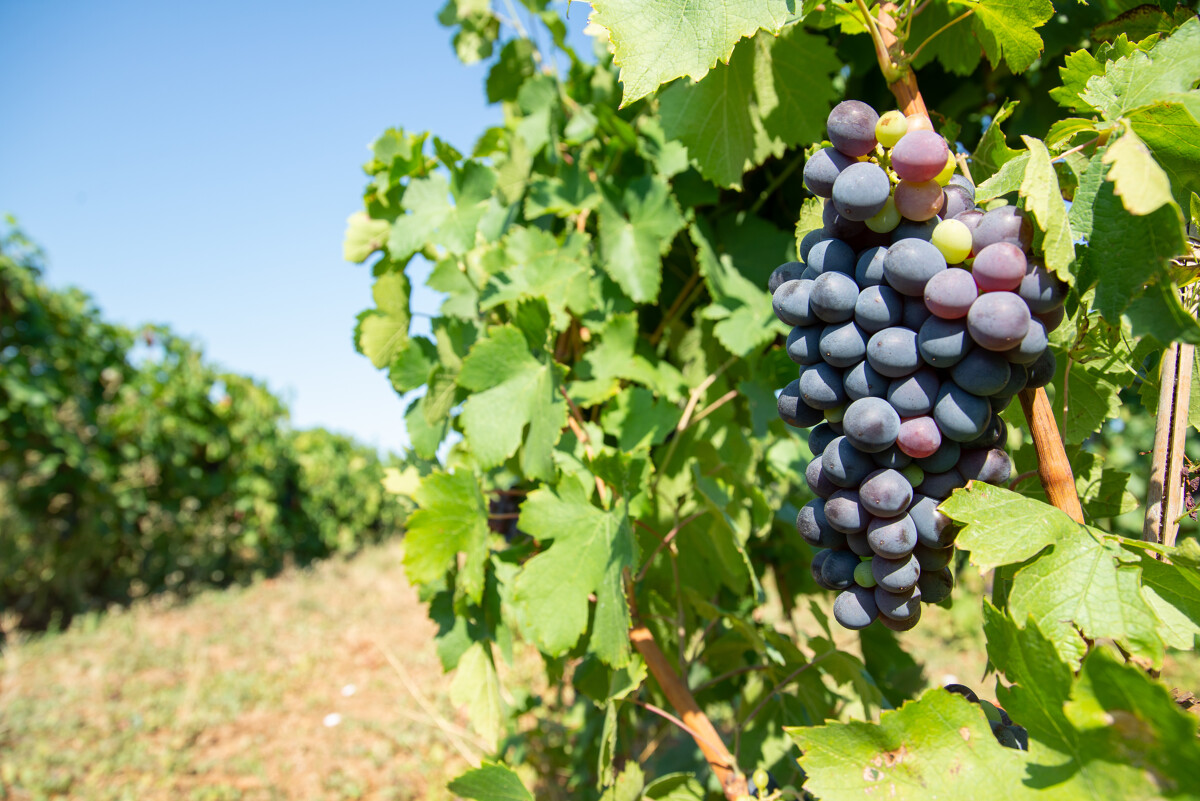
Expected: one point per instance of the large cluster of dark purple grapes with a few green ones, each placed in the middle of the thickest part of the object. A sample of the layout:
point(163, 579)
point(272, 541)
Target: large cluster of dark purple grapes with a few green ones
point(917, 318)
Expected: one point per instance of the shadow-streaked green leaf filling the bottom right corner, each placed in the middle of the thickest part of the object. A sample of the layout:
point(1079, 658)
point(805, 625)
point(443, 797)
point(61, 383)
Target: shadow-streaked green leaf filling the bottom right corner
point(1112, 733)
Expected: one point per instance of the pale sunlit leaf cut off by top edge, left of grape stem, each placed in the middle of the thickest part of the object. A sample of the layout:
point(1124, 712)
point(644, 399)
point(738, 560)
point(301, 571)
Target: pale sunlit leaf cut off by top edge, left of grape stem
point(657, 43)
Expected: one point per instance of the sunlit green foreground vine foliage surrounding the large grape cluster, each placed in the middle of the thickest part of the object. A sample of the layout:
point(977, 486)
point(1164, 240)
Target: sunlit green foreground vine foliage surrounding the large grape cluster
point(605, 360)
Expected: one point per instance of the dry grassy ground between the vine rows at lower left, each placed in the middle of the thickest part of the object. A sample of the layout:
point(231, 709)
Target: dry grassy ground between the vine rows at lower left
point(227, 696)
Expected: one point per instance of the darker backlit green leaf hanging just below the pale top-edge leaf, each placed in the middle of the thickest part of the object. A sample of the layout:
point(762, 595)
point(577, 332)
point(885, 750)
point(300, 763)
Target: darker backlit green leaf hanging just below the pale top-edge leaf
point(718, 121)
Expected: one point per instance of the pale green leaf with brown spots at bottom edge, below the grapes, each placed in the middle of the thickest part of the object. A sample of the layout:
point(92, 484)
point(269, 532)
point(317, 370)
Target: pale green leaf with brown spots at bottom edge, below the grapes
point(941, 742)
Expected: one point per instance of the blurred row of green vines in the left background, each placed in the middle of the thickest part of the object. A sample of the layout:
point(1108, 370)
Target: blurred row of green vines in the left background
point(129, 465)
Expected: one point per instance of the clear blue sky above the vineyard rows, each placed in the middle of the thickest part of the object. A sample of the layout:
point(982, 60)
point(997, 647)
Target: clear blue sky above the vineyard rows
point(194, 165)
